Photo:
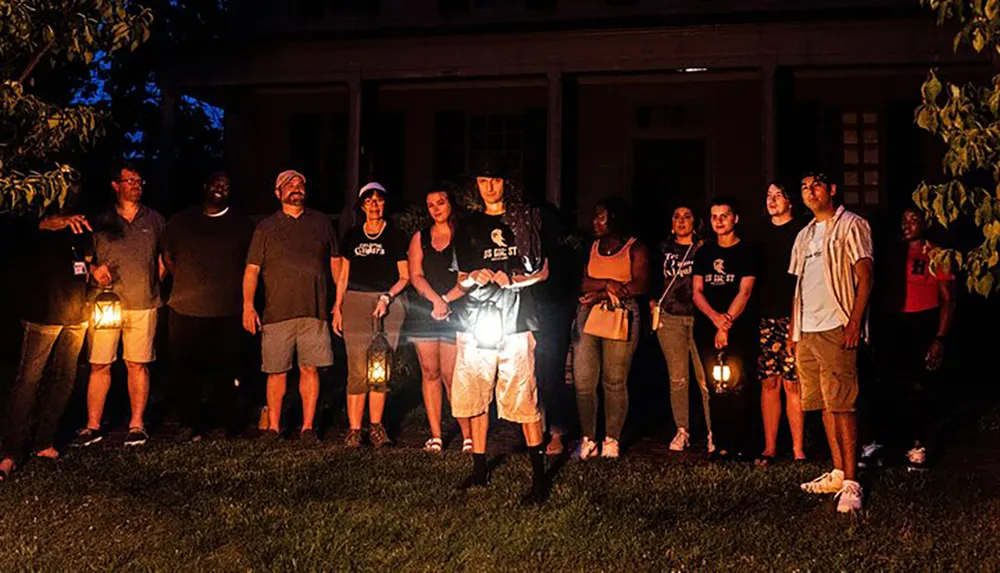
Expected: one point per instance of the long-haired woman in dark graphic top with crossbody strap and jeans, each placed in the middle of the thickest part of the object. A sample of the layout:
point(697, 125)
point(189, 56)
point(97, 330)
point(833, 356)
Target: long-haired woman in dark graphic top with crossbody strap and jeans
point(673, 323)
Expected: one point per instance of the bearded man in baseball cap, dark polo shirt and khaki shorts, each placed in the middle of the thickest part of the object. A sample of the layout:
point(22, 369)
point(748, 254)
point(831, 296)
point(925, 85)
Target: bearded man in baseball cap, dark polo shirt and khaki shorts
point(295, 251)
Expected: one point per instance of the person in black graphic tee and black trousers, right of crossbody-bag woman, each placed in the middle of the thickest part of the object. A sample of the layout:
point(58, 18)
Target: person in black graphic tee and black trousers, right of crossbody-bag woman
point(724, 273)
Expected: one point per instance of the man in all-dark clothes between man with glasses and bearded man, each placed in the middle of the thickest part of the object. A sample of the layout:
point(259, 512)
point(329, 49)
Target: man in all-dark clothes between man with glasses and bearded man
point(204, 248)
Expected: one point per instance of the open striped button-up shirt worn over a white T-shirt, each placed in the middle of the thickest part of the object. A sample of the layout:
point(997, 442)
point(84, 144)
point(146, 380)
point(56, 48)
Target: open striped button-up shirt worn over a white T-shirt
point(848, 240)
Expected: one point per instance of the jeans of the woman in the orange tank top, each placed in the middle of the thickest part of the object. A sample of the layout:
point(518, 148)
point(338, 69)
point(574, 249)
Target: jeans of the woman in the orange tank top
point(598, 360)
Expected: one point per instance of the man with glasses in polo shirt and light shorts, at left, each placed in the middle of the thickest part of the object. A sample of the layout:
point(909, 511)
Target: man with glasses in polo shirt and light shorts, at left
point(126, 260)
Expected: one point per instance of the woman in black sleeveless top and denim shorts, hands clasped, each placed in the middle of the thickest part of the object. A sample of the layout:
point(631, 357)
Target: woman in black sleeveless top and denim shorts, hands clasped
point(432, 328)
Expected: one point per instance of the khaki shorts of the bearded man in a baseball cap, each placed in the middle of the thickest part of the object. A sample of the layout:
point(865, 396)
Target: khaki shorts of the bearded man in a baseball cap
point(307, 337)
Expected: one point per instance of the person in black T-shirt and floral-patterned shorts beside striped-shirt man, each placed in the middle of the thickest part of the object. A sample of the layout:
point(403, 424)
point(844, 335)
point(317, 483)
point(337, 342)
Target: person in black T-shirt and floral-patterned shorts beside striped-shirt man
point(776, 288)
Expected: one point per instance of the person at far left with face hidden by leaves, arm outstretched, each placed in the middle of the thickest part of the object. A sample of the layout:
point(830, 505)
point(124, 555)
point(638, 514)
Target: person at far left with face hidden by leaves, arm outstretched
point(55, 325)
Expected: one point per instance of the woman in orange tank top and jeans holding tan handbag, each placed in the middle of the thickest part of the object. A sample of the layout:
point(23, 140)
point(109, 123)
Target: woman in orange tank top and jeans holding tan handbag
point(608, 327)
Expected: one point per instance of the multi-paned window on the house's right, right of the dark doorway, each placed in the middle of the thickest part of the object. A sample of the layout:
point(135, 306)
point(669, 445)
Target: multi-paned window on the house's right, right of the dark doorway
point(862, 158)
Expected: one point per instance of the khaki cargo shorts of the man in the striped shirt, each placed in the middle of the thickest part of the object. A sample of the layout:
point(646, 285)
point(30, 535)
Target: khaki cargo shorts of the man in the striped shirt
point(828, 373)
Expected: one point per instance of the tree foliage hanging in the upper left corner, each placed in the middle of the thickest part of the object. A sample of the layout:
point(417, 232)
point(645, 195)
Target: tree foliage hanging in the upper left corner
point(39, 37)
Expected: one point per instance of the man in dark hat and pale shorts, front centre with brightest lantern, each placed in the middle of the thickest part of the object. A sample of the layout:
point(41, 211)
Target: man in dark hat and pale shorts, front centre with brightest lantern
point(499, 257)
